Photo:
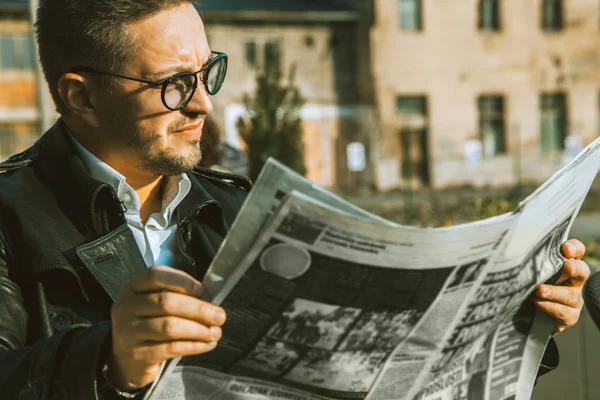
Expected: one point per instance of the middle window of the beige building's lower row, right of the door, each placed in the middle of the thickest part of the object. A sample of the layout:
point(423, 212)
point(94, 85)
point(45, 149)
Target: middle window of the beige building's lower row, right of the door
point(491, 125)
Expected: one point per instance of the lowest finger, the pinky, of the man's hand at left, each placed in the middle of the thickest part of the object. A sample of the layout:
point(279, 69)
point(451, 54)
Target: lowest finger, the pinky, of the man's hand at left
point(154, 353)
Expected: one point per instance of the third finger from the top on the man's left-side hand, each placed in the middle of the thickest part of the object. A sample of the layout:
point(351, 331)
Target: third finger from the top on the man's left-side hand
point(166, 329)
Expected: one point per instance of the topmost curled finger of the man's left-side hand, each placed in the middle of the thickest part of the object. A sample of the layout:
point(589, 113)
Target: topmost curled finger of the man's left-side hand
point(165, 278)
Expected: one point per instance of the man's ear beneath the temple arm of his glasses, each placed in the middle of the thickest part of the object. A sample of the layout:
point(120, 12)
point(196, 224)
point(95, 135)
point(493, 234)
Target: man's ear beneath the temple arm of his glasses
point(75, 91)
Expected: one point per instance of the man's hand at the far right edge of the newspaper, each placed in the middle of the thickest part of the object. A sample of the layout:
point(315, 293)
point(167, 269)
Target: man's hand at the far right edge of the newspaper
point(563, 301)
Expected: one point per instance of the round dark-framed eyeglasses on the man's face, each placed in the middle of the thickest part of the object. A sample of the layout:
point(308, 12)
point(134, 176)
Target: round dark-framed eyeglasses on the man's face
point(177, 90)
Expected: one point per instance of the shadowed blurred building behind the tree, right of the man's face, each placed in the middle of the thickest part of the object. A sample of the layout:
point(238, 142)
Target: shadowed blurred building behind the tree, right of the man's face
point(326, 40)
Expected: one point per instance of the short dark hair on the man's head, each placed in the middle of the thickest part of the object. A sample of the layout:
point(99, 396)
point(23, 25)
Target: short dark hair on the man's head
point(88, 33)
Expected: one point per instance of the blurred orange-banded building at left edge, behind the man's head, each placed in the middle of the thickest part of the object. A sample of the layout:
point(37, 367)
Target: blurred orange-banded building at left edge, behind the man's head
point(18, 105)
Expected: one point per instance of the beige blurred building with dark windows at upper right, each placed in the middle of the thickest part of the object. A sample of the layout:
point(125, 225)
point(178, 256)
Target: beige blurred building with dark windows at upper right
point(483, 91)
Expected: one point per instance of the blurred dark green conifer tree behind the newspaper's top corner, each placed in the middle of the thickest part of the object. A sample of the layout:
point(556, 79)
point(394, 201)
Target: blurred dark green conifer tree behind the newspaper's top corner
point(273, 127)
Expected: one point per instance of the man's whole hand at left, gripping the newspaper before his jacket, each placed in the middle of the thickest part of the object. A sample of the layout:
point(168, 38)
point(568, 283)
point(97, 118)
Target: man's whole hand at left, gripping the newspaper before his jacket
point(158, 316)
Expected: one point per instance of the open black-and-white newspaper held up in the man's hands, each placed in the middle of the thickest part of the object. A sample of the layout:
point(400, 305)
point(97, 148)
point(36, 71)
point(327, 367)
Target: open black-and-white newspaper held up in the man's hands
point(326, 301)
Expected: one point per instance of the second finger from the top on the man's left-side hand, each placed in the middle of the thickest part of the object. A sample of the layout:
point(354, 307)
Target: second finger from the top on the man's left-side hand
point(163, 304)
